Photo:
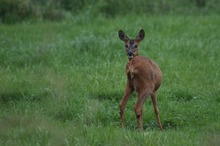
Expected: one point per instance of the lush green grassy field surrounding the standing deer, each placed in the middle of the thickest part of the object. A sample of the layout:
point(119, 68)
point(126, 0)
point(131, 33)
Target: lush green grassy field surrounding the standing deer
point(61, 82)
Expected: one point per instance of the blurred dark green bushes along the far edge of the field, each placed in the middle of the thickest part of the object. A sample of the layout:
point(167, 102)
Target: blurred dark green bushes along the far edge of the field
point(12, 11)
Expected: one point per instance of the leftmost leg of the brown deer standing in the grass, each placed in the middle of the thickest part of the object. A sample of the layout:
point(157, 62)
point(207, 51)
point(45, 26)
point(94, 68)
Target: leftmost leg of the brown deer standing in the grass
point(128, 91)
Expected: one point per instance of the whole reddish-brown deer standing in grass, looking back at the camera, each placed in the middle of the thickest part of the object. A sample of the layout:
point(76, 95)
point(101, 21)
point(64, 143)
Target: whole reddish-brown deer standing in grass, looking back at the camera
point(143, 76)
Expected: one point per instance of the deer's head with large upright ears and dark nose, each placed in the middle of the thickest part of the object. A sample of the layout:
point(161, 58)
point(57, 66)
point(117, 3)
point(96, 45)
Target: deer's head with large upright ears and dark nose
point(131, 45)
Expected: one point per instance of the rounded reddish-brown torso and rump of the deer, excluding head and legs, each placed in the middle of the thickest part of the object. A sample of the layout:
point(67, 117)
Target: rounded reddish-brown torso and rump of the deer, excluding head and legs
point(143, 73)
